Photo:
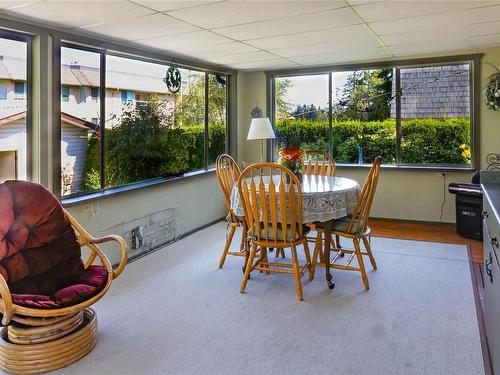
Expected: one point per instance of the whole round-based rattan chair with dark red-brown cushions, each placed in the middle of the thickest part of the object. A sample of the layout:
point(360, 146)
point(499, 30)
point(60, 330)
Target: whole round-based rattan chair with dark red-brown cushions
point(45, 287)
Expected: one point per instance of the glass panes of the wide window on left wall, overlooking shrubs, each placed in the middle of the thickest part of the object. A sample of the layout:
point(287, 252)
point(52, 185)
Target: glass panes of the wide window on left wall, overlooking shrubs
point(146, 132)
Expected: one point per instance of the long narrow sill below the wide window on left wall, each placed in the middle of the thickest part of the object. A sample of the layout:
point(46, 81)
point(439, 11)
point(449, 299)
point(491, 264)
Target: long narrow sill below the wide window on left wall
point(111, 192)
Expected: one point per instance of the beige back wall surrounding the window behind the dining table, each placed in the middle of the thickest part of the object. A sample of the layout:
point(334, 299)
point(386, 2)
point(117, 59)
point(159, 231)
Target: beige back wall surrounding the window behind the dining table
point(409, 195)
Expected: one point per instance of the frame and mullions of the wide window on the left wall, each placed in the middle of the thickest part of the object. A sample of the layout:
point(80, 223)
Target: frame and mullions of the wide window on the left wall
point(105, 191)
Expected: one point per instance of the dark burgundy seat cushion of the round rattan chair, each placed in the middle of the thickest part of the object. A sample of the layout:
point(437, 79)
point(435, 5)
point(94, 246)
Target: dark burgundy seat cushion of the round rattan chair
point(90, 282)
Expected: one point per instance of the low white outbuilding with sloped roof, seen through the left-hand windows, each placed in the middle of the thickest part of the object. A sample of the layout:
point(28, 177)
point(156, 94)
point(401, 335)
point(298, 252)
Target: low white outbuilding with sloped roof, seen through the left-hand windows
point(74, 139)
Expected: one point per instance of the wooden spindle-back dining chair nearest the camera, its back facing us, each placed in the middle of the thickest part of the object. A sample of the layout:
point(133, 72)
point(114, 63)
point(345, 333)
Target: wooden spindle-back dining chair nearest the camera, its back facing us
point(279, 224)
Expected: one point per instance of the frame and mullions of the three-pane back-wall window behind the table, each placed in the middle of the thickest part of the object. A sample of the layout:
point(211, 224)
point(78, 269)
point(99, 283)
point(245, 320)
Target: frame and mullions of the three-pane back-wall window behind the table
point(474, 61)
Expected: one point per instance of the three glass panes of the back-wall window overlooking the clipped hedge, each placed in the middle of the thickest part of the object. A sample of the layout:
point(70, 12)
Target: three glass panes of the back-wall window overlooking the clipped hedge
point(411, 116)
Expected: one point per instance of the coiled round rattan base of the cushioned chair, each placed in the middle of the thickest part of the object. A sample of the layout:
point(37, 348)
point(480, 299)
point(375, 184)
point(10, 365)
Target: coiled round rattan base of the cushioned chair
point(37, 358)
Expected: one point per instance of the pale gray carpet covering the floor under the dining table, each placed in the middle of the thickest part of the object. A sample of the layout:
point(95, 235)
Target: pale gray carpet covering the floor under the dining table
point(174, 312)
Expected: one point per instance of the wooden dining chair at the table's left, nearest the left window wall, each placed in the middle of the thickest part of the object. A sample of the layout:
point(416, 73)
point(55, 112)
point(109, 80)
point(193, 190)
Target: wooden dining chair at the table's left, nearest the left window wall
point(227, 173)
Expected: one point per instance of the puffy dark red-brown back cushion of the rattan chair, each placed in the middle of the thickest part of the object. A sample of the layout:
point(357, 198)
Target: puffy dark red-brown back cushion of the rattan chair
point(39, 252)
